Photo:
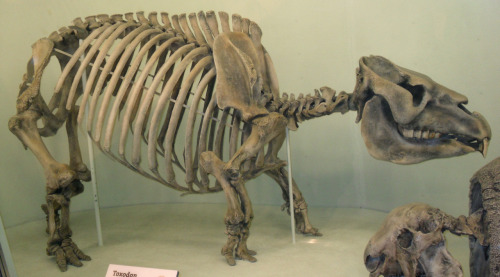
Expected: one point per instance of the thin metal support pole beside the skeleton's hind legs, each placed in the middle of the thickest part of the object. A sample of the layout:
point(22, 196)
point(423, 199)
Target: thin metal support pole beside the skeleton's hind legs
point(90, 147)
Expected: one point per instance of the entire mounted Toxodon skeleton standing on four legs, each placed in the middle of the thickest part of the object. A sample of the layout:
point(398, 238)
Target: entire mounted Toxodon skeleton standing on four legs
point(146, 79)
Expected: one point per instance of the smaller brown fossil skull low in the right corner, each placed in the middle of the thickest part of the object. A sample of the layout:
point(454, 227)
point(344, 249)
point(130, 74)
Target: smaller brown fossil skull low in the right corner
point(411, 243)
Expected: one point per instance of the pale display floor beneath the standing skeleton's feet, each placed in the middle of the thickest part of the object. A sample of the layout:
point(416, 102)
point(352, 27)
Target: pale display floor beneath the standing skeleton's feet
point(188, 237)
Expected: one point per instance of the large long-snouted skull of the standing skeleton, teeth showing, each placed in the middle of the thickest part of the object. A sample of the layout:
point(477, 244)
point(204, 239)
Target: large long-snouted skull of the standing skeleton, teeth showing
point(408, 118)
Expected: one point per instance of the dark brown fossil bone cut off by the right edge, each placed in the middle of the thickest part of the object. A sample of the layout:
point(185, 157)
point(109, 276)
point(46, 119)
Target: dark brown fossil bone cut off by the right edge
point(485, 200)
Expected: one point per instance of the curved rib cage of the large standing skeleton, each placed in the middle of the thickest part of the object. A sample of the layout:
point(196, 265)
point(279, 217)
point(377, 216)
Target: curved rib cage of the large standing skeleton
point(152, 83)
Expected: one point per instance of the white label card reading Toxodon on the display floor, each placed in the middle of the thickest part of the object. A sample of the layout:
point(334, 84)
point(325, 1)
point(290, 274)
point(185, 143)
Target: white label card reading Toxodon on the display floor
point(134, 271)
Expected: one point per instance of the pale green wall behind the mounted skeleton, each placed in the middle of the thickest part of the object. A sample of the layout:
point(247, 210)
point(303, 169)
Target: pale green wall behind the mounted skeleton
point(313, 43)
